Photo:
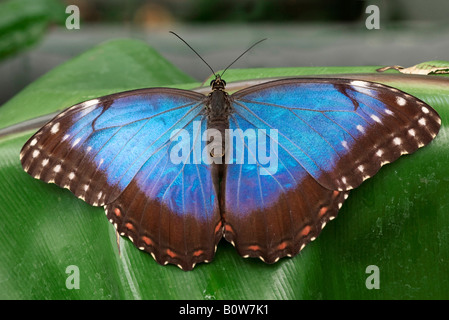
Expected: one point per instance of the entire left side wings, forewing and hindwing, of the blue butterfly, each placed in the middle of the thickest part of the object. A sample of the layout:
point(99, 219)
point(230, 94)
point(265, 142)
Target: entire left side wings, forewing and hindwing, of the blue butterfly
point(115, 152)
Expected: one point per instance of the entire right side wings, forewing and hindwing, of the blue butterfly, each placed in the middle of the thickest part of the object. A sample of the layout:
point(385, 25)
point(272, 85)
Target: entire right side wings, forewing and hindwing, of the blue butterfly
point(325, 137)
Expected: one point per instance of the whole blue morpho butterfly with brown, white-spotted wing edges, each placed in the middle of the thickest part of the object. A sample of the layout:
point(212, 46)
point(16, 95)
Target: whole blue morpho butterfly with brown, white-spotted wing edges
point(266, 167)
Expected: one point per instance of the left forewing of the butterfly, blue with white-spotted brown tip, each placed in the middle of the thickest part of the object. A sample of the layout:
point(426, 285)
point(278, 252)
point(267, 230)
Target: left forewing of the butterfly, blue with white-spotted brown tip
point(88, 146)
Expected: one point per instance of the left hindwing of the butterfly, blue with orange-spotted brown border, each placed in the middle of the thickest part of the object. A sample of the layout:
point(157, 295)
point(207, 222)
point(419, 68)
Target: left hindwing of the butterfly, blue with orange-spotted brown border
point(170, 210)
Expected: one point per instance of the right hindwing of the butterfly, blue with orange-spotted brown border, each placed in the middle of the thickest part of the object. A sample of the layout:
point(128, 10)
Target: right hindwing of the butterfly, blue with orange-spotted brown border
point(277, 213)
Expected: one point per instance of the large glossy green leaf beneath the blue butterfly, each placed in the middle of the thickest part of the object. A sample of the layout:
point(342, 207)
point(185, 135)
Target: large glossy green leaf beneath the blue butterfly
point(396, 220)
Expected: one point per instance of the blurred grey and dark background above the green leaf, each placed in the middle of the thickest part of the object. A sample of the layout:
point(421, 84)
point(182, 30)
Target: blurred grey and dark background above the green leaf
point(34, 39)
